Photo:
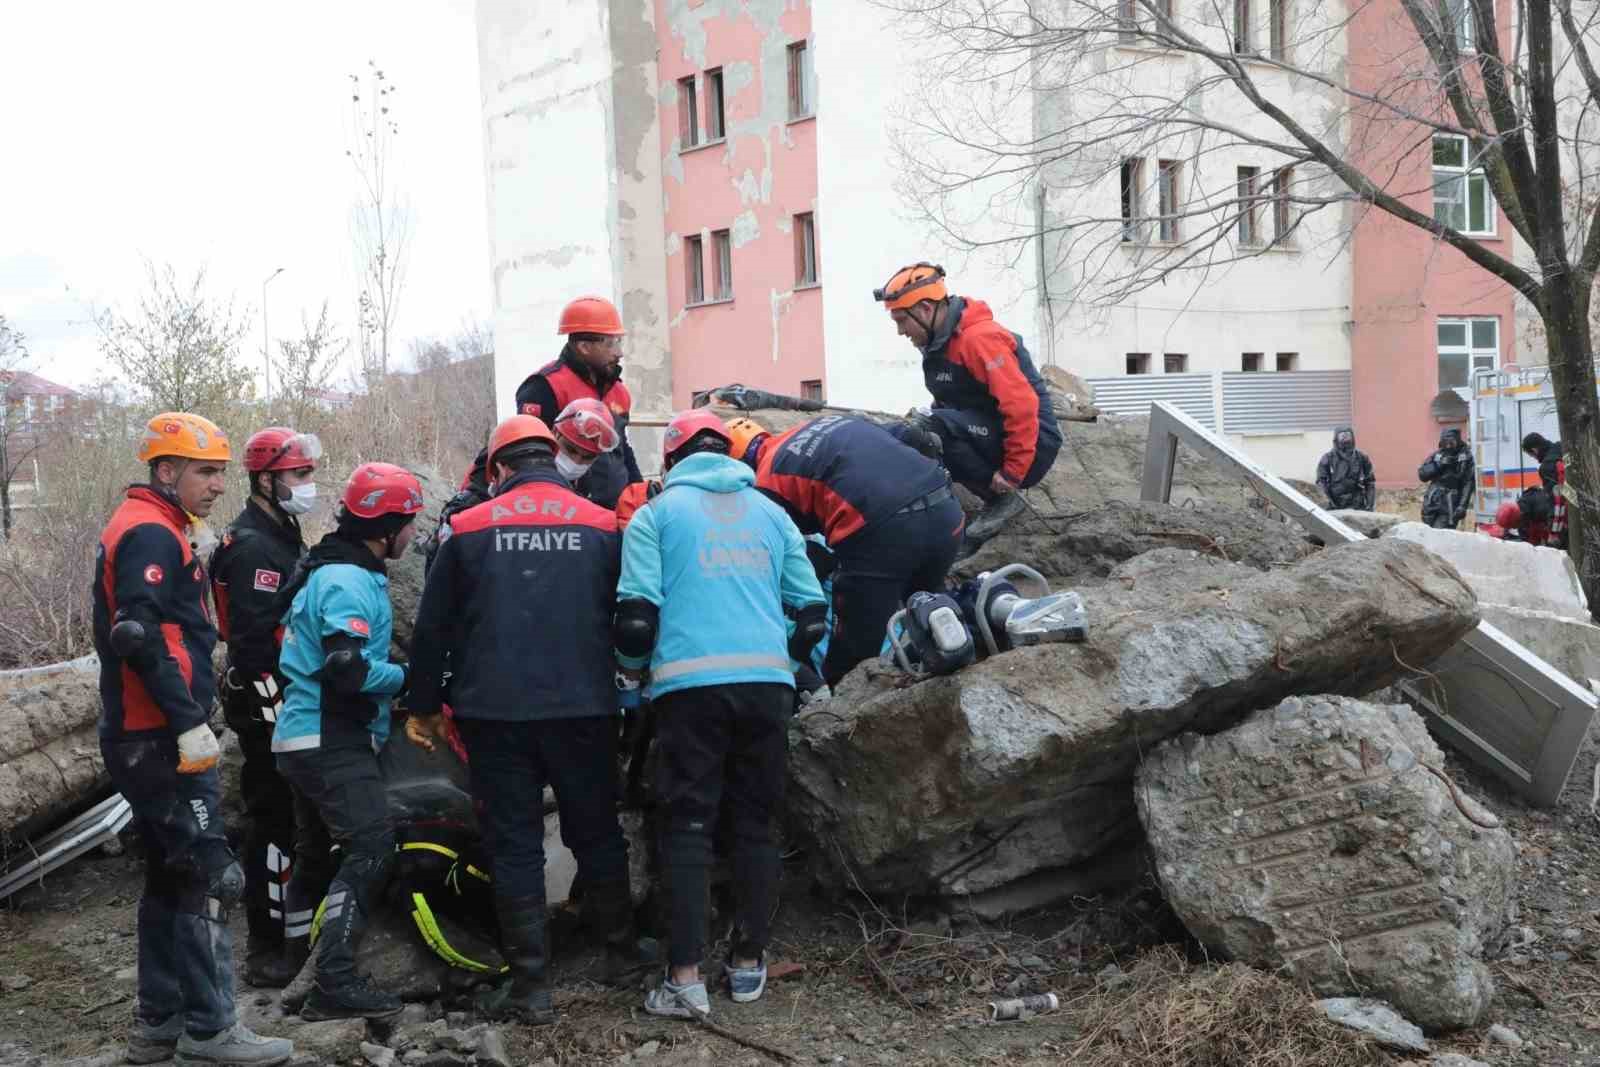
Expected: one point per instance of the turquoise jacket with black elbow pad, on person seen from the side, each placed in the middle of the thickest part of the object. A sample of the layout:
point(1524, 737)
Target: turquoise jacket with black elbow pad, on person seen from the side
point(337, 599)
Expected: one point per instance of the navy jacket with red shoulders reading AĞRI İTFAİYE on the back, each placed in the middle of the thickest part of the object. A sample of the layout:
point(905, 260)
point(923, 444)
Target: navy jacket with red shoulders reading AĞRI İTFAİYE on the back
point(519, 609)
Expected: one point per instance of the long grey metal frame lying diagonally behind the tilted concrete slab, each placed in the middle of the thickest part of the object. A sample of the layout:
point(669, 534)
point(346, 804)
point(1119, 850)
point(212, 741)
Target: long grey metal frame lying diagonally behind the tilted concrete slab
point(1490, 698)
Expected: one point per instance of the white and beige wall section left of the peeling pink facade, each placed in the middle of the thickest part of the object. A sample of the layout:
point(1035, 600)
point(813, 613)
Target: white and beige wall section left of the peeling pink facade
point(574, 180)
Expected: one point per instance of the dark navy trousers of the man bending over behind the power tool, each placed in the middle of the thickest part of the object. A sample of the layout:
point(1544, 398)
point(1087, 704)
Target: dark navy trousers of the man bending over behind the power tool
point(882, 565)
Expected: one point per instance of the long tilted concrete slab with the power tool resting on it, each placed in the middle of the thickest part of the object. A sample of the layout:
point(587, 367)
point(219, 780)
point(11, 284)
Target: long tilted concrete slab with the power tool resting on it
point(1025, 762)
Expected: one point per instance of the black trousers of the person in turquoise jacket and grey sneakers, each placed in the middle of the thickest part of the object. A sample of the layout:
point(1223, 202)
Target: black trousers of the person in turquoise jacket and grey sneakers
point(721, 743)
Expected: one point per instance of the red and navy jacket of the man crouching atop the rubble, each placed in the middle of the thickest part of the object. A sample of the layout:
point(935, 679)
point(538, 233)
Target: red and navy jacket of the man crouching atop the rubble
point(974, 364)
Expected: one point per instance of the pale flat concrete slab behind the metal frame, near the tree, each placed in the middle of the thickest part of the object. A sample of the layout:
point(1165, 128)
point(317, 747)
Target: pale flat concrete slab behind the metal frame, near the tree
point(1506, 572)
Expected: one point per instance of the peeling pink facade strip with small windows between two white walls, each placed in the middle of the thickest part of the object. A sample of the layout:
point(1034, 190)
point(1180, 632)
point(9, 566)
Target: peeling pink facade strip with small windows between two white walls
point(740, 185)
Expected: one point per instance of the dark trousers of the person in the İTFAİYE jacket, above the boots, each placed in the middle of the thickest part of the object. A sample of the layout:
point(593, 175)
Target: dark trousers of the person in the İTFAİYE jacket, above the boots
point(511, 765)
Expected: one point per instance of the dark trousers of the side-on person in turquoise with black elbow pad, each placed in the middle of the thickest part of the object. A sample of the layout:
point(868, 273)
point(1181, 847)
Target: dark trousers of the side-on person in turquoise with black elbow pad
point(340, 799)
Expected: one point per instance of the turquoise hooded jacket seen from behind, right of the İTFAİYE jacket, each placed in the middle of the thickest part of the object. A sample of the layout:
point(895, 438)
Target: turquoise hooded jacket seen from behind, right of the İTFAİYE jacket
point(721, 562)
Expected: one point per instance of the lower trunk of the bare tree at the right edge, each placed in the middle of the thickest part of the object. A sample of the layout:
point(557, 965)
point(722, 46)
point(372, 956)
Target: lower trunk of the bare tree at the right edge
point(1566, 311)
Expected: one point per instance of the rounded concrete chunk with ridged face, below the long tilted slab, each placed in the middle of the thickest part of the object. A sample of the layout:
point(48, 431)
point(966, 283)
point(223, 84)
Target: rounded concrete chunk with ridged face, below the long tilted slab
point(1316, 839)
